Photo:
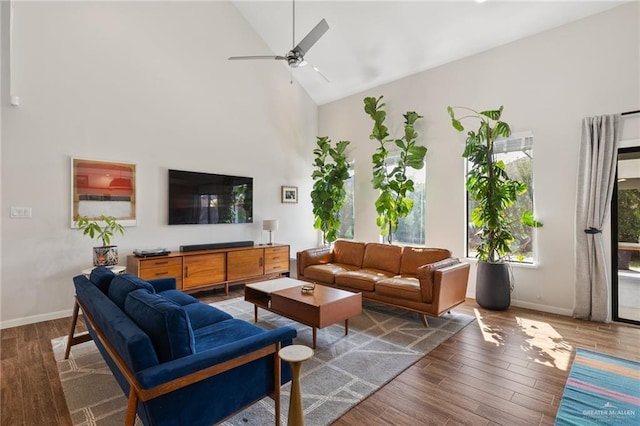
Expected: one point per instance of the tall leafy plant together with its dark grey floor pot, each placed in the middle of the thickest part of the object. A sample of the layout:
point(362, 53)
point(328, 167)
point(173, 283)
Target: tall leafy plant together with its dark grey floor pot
point(493, 192)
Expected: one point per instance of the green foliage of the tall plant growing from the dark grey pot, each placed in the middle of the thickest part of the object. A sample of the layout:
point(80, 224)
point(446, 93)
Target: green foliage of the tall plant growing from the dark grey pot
point(489, 185)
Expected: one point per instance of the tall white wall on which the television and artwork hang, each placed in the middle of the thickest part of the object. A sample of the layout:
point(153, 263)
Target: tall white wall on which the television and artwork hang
point(148, 83)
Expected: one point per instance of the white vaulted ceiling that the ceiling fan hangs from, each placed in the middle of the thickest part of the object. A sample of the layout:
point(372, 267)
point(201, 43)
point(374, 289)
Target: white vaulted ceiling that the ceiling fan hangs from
point(370, 43)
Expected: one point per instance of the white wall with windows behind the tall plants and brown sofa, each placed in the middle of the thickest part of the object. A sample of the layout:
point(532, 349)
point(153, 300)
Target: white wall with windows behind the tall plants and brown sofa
point(547, 84)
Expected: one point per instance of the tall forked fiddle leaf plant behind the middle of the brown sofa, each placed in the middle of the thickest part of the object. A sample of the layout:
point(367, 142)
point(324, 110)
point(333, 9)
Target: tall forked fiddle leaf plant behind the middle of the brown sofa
point(394, 185)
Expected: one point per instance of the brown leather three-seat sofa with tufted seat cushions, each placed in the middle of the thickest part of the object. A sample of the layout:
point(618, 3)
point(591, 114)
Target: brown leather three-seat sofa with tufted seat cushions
point(424, 280)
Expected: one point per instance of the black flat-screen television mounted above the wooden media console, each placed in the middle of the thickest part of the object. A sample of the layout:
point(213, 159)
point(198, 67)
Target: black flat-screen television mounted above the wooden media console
point(209, 198)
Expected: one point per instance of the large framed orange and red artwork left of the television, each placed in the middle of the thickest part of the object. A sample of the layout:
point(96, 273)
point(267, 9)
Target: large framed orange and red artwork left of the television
point(103, 188)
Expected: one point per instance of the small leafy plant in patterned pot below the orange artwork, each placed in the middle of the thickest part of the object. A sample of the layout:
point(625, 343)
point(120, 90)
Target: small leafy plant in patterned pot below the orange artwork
point(103, 228)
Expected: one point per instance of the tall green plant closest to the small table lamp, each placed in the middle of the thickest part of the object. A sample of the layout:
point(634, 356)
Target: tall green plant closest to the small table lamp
point(331, 169)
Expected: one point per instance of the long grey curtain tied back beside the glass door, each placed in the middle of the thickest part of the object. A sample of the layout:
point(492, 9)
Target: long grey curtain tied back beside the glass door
point(596, 175)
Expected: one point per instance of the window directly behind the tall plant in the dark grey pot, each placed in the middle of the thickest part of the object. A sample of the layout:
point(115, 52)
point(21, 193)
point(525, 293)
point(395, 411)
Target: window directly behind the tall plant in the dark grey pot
point(517, 154)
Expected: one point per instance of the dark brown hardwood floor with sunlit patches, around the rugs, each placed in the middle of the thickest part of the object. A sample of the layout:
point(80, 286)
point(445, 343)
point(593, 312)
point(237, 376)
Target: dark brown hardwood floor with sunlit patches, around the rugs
point(505, 368)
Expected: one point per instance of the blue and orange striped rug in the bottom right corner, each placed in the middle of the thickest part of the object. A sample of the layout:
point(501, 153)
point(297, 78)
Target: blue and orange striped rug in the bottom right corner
point(600, 390)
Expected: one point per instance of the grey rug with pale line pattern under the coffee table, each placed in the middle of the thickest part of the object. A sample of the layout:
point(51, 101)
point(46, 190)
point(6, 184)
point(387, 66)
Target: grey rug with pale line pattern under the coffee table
point(382, 342)
